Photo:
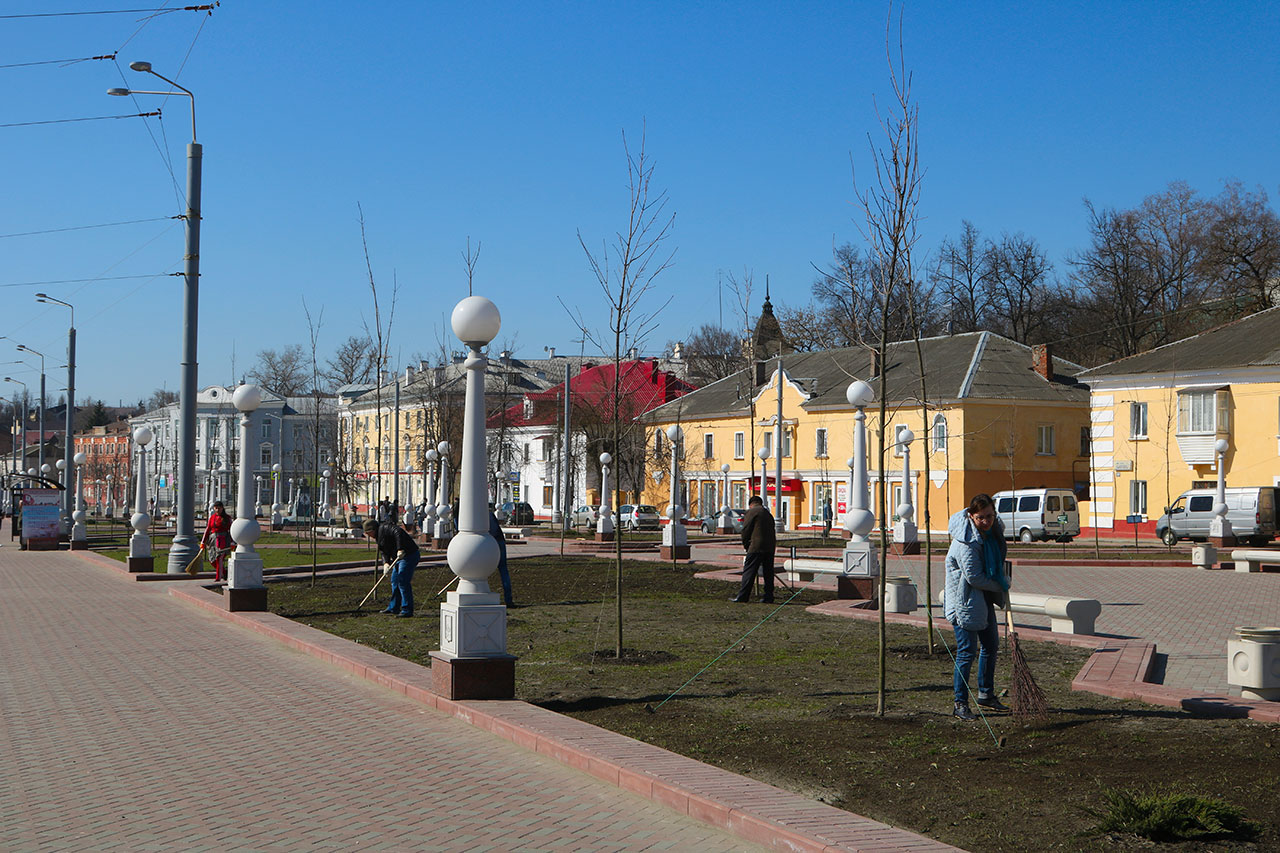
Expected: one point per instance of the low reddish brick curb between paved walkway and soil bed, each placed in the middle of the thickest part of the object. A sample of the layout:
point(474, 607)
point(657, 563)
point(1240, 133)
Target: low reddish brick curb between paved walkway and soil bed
point(751, 810)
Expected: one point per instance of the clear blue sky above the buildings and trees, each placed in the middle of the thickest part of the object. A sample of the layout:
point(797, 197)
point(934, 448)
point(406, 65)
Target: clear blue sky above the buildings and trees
point(504, 122)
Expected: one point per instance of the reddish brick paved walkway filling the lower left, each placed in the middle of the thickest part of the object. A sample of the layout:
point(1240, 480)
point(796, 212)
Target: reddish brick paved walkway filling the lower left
point(132, 722)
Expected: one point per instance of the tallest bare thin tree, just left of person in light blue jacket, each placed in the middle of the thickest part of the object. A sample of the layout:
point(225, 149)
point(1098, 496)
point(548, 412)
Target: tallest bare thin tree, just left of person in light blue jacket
point(890, 206)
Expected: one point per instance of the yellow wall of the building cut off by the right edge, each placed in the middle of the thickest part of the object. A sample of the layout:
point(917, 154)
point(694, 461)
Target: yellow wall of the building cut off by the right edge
point(1160, 459)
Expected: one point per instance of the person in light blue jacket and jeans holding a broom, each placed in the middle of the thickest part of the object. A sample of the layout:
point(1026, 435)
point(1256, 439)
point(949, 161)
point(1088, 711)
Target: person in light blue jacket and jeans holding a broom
point(976, 582)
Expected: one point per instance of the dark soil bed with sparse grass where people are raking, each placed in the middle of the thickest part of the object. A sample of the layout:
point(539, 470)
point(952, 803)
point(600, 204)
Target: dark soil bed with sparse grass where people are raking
point(789, 697)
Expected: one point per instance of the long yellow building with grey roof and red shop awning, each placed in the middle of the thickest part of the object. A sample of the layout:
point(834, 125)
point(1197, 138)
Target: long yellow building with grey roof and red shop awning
point(998, 416)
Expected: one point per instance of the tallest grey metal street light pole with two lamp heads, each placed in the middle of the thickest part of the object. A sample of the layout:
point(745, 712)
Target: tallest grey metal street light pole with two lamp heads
point(185, 542)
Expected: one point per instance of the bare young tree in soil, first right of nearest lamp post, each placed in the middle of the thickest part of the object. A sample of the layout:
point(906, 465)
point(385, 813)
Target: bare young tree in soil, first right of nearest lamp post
point(625, 271)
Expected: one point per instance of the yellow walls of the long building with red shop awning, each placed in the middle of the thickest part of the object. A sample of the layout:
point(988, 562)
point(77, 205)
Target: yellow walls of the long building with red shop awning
point(975, 458)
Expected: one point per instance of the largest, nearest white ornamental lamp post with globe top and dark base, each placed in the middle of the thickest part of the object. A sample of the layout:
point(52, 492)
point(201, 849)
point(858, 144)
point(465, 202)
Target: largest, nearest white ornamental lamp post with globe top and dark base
point(473, 660)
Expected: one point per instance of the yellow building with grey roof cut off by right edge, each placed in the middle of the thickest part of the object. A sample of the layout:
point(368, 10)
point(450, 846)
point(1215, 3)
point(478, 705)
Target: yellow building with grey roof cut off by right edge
point(1158, 416)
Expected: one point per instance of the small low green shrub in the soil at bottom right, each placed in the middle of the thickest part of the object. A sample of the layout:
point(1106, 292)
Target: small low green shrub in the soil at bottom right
point(1173, 818)
